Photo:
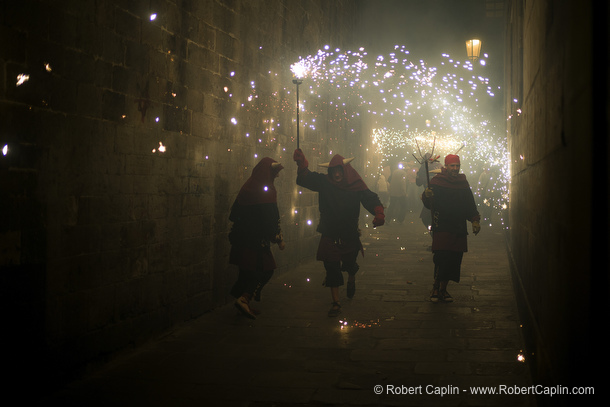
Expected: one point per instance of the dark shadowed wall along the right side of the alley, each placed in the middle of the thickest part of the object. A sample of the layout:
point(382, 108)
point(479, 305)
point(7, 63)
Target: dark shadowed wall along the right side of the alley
point(554, 128)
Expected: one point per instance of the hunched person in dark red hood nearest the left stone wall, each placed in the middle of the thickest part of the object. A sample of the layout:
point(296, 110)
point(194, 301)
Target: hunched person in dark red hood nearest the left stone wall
point(256, 224)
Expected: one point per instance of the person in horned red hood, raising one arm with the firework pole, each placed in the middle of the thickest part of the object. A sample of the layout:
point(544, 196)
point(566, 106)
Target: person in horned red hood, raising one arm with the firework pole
point(340, 193)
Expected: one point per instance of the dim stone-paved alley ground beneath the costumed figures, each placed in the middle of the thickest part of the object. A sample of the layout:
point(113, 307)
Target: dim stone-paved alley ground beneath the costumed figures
point(390, 346)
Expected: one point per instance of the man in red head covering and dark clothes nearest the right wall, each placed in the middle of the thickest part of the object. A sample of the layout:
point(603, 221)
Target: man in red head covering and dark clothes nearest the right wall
point(452, 204)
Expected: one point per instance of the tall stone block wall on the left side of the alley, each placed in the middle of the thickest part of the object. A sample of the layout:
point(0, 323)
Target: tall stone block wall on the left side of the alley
point(127, 145)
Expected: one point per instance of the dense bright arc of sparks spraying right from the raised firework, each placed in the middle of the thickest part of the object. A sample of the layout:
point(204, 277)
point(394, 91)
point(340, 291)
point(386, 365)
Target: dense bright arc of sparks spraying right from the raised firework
point(413, 106)
